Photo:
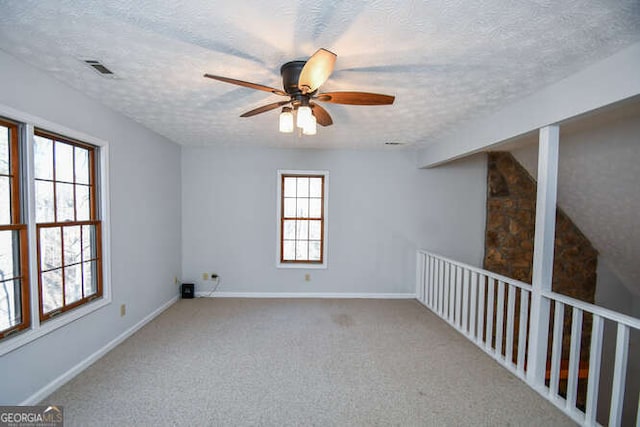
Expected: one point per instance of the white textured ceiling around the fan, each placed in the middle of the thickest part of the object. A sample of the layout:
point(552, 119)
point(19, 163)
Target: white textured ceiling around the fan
point(445, 61)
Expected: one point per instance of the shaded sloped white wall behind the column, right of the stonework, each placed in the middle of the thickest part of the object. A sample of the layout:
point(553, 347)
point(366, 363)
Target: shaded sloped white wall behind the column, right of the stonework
point(598, 181)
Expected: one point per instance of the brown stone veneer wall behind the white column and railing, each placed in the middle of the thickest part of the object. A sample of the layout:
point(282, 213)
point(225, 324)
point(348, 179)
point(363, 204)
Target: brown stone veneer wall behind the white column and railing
point(511, 212)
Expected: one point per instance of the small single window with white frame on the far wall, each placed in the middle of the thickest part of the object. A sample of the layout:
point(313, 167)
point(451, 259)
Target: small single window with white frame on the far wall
point(302, 206)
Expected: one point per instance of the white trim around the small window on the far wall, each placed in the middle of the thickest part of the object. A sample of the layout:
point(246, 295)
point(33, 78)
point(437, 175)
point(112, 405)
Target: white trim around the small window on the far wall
point(325, 220)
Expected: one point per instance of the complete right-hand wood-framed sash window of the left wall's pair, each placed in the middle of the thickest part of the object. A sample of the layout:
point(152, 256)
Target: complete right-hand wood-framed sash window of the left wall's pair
point(68, 228)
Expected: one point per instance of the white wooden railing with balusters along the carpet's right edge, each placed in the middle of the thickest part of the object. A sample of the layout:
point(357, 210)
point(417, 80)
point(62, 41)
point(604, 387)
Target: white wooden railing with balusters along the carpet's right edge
point(493, 312)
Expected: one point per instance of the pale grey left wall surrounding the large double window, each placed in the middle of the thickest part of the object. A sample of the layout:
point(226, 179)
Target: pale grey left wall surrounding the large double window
point(145, 225)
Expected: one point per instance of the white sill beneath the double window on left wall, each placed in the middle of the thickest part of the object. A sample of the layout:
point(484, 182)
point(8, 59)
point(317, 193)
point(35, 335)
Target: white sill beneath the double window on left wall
point(20, 339)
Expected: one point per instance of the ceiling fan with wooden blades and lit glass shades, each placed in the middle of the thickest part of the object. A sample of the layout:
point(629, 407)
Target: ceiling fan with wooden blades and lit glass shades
point(301, 81)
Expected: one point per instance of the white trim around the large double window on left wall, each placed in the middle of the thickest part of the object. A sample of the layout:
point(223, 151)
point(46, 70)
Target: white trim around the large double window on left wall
point(37, 329)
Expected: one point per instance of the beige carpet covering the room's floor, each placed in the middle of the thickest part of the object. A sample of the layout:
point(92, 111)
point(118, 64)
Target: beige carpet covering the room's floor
point(299, 362)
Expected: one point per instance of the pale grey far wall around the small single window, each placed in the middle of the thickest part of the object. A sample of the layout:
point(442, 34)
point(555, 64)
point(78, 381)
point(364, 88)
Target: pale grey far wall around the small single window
point(381, 209)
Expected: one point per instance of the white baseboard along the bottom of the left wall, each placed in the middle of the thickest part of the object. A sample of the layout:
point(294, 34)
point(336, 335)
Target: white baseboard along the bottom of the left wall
point(71, 373)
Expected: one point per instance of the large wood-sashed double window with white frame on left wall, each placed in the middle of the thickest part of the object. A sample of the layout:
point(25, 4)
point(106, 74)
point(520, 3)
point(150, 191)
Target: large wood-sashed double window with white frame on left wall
point(61, 228)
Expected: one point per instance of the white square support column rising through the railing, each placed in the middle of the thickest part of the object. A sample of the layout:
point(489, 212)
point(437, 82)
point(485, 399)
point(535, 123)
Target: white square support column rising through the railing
point(543, 253)
